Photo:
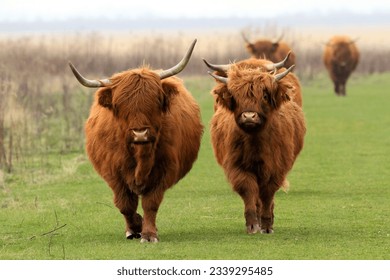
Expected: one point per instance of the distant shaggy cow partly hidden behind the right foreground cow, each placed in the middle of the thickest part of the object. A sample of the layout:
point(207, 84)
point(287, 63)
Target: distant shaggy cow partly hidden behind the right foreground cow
point(267, 49)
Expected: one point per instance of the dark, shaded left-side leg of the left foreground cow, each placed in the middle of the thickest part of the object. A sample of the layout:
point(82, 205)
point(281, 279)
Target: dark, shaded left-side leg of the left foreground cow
point(127, 202)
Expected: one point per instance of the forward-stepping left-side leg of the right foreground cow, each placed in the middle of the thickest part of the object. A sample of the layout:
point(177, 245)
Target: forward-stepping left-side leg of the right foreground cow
point(245, 185)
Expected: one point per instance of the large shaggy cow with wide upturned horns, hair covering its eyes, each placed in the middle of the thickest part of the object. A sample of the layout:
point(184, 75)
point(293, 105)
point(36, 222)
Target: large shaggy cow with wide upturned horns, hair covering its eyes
point(143, 135)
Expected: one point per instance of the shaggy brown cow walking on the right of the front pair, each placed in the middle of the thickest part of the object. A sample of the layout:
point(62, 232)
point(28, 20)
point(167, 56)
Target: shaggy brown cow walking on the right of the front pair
point(257, 133)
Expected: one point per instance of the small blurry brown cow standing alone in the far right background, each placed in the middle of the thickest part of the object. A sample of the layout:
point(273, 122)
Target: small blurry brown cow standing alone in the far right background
point(341, 57)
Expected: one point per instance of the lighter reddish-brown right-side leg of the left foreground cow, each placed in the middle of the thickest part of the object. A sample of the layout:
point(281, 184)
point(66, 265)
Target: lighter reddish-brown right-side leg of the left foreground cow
point(150, 204)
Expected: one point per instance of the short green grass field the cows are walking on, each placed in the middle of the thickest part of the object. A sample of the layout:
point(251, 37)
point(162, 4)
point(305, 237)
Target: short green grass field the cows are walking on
point(338, 205)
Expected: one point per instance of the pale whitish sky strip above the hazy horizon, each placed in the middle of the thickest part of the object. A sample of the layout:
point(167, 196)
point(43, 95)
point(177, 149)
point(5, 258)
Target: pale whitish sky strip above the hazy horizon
point(13, 10)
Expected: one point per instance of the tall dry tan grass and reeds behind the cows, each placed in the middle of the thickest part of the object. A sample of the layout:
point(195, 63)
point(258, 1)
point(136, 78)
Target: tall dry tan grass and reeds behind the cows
point(43, 108)
